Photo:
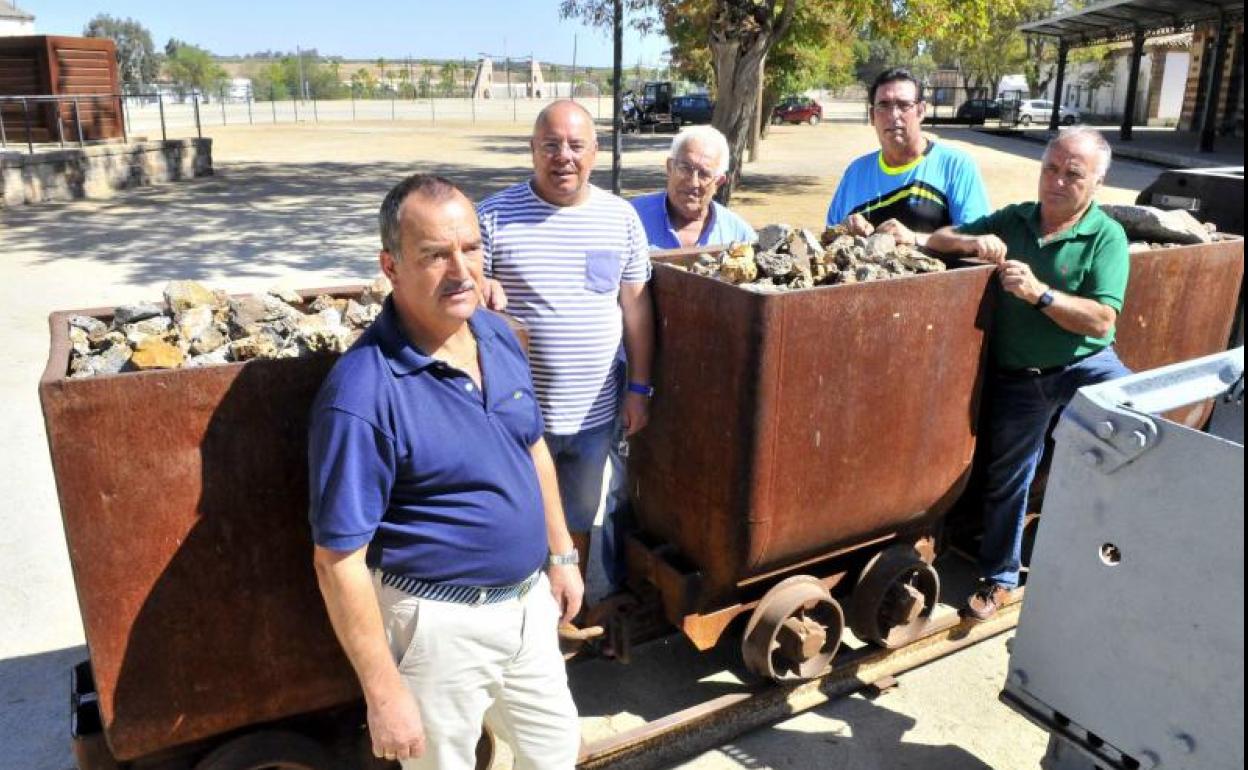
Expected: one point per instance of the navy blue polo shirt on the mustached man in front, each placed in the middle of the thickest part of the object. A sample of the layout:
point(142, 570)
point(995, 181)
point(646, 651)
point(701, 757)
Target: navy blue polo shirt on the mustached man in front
point(410, 457)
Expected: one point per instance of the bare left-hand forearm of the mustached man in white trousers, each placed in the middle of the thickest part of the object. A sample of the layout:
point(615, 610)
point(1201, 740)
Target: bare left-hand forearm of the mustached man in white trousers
point(351, 602)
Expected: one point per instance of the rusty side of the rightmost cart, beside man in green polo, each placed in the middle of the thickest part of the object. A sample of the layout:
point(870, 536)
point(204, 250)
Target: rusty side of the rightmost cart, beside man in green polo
point(1181, 305)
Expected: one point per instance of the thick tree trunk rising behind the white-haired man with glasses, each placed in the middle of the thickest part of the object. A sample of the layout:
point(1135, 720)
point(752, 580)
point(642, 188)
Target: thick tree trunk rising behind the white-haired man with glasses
point(741, 36)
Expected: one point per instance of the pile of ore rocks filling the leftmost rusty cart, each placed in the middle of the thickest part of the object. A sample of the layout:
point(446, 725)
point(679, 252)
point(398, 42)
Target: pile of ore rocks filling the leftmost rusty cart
point(200, 328)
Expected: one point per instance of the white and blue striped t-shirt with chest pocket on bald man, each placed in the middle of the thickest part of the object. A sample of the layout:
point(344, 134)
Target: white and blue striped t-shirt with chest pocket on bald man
point(562, 269)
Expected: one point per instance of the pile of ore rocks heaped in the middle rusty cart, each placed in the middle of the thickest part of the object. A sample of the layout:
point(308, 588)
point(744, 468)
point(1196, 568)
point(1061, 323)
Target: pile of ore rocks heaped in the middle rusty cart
point(787, 259)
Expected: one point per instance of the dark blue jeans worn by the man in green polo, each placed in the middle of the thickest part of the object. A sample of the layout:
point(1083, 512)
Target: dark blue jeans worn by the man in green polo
point(1021, 407)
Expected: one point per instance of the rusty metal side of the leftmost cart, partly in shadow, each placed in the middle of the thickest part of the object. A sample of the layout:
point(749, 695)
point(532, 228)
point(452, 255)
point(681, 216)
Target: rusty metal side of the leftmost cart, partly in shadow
point(184, 496)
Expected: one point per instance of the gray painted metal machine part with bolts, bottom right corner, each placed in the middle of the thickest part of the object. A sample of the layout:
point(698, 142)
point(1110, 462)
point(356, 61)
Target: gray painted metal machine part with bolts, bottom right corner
point(1131, 645)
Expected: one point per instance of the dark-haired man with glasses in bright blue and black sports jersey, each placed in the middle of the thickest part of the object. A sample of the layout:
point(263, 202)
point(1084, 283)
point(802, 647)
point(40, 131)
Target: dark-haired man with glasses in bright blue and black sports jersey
point(913, 185)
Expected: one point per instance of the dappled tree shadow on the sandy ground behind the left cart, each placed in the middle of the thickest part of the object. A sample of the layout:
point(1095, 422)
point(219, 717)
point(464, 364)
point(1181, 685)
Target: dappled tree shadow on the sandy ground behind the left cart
point(250, 220)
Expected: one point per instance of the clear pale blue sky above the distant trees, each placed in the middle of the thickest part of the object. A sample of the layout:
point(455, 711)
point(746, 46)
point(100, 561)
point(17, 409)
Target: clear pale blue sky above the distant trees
point(361, 29)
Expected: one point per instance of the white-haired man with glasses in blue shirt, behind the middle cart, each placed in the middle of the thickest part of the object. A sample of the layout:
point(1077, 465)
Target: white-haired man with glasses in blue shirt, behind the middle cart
point(686, 213)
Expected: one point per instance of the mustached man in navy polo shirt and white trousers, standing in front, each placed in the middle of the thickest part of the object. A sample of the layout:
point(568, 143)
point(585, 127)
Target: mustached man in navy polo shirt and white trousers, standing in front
point(441, 546)
